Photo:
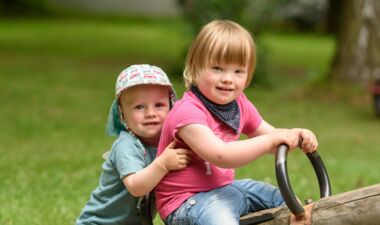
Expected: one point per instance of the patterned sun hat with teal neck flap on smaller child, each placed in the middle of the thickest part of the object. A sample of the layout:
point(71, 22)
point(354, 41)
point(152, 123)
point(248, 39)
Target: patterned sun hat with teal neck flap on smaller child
point(132, 76)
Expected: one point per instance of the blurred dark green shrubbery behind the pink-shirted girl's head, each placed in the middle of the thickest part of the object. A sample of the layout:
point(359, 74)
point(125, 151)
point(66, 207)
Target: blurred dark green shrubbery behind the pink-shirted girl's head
point(258, 16)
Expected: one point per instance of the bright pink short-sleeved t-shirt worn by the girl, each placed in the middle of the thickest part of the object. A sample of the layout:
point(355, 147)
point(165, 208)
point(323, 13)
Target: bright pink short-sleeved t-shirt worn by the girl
point(199, 175)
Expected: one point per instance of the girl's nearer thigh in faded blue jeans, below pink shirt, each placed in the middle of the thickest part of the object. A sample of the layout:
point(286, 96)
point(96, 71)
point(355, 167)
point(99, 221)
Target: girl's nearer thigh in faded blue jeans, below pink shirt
point(217, 207)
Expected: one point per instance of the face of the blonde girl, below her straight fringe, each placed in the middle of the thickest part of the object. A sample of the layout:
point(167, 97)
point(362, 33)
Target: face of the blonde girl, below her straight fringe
point(222, 83)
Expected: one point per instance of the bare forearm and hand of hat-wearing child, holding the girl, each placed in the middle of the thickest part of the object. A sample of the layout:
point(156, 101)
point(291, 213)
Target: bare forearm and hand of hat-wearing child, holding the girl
point(143, 181)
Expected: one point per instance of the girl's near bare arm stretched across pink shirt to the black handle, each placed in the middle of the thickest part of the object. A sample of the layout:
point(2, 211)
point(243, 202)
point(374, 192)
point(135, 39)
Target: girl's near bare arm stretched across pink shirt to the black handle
point(237, 153)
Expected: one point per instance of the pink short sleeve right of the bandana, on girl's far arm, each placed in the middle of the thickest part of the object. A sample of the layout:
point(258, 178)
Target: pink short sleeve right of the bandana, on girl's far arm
point(250, 116)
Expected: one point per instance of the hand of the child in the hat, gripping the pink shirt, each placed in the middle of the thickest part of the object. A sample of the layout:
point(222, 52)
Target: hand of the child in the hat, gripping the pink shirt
point(175, 158)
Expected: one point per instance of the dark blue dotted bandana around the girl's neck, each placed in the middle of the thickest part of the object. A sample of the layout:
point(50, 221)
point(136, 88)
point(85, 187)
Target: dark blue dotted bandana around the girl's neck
point(229, 113)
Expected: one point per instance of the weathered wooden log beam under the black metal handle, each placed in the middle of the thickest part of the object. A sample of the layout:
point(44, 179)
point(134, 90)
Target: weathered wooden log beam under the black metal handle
point(358, 207)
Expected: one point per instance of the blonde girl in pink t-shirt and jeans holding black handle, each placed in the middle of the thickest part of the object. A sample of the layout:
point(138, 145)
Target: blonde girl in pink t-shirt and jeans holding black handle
point(209, 120)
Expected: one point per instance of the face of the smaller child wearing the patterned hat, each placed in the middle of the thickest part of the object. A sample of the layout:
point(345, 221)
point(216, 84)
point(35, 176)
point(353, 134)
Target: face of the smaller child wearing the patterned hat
point(144, 109)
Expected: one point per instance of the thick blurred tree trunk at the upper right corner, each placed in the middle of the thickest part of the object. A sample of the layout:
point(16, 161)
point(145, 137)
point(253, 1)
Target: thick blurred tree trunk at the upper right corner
point(357, 56)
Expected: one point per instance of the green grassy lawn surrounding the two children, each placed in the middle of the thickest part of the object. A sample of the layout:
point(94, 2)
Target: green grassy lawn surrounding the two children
point(56, 85)
